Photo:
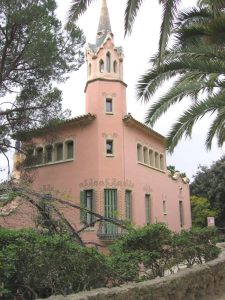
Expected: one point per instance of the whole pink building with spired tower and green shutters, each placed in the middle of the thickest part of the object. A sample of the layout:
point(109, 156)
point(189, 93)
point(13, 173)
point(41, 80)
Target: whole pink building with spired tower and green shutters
point(106, 160)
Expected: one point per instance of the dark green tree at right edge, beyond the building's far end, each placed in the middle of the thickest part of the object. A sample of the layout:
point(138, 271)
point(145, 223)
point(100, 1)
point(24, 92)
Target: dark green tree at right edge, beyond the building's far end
point(209, 183)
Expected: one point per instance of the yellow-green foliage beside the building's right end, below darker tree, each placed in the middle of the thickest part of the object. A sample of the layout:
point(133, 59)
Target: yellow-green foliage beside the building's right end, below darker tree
point(200, 210)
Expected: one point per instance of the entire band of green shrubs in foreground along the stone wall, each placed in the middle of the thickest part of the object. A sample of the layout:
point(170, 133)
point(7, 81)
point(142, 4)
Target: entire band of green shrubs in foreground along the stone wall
point(34, 265)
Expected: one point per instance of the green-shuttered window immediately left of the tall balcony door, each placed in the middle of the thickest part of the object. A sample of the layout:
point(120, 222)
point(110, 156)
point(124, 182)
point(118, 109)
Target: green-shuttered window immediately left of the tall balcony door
point(87, 201)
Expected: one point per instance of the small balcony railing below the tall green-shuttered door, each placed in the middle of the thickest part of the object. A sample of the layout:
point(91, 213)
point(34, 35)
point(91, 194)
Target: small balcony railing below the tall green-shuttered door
point(109, 232)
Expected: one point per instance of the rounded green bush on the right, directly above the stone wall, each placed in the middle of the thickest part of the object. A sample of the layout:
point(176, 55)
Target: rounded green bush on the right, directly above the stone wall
point(158, 249)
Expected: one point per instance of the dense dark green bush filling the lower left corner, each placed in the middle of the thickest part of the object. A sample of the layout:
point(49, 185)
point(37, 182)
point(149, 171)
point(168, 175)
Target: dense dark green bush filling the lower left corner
point(34, 265)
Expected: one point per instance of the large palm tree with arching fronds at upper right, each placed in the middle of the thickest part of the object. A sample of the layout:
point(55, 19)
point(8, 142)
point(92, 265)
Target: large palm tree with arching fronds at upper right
point(197, 62)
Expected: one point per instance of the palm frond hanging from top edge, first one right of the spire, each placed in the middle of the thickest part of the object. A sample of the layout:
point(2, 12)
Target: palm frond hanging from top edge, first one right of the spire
point(131, 10)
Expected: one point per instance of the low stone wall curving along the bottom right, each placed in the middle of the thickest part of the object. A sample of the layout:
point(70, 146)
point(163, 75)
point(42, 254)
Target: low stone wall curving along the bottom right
point(201, 282)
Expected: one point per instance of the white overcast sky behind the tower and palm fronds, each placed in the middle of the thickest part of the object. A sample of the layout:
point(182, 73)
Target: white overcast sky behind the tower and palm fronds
point(138, 48)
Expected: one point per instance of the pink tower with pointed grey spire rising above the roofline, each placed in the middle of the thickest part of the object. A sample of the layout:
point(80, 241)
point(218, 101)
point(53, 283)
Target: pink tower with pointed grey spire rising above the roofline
point(105, 88)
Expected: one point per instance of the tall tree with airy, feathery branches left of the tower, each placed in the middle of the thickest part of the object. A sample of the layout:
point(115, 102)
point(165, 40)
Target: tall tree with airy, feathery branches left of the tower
point(34, 52)
